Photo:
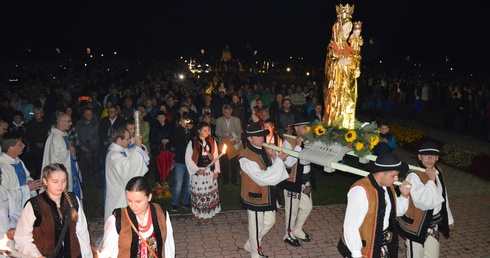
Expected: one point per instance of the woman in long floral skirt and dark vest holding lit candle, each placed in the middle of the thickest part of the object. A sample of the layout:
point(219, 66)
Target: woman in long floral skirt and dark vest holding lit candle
point(199, 154)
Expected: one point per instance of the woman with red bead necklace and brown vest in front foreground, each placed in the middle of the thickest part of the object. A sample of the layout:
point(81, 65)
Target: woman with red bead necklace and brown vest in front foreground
point(142, 229)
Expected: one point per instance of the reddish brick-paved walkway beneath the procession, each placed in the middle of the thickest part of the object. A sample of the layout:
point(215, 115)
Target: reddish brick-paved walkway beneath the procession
point(224, 236)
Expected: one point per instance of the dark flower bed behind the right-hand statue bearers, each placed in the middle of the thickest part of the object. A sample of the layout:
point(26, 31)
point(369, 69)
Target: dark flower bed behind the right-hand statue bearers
point(474, 163)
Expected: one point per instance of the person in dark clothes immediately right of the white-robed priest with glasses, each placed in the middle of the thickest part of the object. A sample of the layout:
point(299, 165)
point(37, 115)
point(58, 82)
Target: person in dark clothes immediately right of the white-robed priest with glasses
point(87, 129)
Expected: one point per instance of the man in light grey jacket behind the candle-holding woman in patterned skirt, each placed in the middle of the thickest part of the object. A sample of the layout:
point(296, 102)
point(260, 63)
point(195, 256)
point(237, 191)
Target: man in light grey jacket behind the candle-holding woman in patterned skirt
point(229, 131)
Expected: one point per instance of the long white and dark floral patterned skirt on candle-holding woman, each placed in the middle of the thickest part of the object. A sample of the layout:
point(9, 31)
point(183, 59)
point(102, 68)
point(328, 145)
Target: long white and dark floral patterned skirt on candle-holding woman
point(205, 196)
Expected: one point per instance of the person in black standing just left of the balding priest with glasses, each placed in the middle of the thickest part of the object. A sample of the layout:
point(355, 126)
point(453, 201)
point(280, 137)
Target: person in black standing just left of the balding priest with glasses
point(37, 134)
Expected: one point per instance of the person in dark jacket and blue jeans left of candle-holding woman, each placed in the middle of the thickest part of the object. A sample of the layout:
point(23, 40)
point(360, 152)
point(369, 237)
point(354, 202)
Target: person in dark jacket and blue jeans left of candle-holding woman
point(181, 138)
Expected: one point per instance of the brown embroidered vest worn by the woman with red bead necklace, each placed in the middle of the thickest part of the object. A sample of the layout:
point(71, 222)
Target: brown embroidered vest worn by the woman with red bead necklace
point(129, 240)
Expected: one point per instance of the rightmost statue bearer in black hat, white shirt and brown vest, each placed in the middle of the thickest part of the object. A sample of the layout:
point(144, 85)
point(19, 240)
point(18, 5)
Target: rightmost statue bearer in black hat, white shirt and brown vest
point(428, 211)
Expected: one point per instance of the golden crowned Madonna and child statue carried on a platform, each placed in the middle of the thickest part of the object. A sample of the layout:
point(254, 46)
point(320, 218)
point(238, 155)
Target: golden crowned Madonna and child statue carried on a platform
point(342, 68)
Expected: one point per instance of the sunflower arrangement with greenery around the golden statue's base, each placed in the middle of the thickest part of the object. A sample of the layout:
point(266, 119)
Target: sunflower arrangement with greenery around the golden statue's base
point(361, 140)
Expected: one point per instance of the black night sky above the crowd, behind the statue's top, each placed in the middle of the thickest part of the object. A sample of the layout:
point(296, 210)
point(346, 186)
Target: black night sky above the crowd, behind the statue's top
point(276, 29)
